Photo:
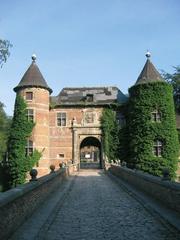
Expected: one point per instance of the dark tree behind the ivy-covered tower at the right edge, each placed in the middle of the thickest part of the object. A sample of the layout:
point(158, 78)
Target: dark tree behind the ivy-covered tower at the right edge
point(174, 80)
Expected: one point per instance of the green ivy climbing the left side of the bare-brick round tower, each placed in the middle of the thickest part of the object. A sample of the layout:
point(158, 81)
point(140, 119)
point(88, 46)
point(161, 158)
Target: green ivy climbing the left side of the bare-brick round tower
point(18, 164)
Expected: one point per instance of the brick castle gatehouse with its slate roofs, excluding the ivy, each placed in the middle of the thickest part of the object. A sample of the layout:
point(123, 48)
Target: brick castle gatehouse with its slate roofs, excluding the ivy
point(68, 125)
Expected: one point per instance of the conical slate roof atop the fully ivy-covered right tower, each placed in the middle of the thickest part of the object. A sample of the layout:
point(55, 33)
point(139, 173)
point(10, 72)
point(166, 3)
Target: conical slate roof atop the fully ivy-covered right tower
point(149, 74)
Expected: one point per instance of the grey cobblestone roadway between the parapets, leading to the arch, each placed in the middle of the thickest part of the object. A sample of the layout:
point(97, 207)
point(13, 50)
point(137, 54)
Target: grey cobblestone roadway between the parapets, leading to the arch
point(95, 208)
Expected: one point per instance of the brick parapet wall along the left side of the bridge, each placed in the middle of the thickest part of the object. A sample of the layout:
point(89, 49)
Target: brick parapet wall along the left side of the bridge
point(17, 204)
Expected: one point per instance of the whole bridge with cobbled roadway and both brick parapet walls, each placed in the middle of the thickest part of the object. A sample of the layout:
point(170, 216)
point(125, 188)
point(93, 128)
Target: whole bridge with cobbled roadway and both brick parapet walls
point(92, 205)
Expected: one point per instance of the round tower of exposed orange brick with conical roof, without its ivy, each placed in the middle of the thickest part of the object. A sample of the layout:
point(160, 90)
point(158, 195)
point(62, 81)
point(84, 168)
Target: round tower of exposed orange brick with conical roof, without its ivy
point(35, 91)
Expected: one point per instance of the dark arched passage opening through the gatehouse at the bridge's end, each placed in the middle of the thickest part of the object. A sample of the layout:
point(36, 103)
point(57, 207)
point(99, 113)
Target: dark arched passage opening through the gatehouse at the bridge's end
point(90, 153)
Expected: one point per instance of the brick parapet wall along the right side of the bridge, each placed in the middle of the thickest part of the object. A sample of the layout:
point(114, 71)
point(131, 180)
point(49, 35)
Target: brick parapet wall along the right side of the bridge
point(166, 192)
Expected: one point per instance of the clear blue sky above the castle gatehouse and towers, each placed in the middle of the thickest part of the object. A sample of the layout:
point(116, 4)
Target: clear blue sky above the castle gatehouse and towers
point(85, 43)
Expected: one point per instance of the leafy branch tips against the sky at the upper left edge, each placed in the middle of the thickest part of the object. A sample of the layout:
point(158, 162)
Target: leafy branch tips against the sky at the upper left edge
point(5, 45)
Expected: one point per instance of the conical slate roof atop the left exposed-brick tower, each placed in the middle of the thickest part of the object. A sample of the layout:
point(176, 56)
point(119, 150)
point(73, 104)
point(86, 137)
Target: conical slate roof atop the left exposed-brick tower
point(33, 78)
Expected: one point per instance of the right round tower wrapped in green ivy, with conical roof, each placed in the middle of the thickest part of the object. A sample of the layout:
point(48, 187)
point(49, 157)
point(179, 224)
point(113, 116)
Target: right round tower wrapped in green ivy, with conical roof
point(153, 139)
